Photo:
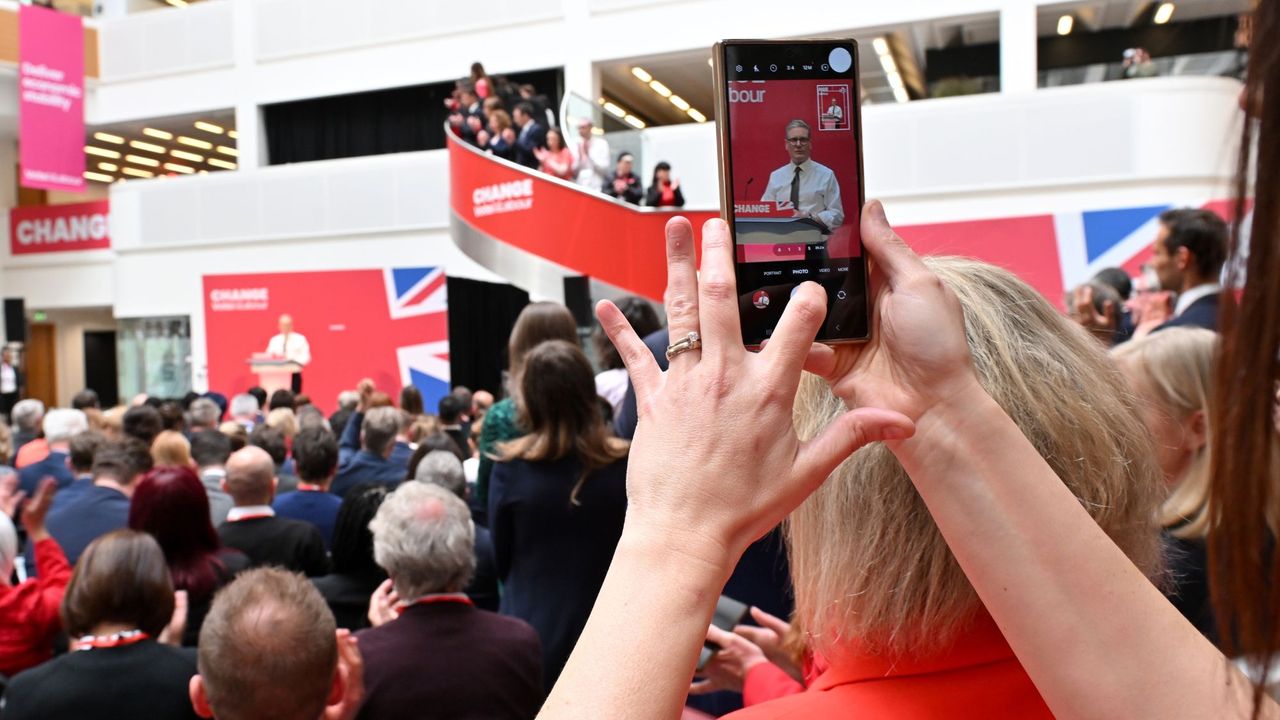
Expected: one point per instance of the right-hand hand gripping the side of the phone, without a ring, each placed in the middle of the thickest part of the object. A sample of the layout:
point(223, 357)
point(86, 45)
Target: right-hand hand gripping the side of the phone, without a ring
point(918, 356)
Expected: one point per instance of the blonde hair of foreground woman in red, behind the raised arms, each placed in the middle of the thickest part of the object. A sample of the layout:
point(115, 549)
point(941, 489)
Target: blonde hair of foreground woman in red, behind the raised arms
point(868, 563)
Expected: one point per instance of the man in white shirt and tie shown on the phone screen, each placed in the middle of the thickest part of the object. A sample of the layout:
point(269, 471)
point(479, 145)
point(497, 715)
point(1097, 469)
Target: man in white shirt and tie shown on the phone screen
point(803, 186)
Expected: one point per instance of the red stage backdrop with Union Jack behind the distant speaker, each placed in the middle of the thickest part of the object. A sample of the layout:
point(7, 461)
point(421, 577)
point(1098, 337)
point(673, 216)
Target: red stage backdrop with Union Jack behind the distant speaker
point(388, 325)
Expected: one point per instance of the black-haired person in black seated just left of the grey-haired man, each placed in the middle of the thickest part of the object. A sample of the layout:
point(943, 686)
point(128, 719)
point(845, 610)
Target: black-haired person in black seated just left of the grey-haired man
point(355, 576)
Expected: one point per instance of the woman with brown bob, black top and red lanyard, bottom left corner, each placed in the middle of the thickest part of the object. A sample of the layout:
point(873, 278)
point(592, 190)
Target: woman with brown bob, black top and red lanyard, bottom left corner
point(117, 608)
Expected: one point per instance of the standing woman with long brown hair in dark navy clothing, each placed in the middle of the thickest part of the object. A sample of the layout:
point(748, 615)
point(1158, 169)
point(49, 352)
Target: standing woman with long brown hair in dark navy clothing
point(559, 493)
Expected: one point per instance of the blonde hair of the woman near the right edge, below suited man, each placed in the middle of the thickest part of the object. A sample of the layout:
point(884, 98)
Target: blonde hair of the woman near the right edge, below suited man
point(1178, 367)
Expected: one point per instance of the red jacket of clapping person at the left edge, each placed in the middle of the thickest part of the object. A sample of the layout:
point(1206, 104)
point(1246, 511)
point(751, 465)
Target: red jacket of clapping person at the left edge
point(29, 612)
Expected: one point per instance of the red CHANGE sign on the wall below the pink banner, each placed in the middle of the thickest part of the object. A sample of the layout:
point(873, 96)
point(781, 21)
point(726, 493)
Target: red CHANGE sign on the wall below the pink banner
point(60, 229)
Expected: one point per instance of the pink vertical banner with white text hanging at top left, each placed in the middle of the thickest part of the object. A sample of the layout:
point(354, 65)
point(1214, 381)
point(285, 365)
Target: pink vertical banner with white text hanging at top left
point(51, 99)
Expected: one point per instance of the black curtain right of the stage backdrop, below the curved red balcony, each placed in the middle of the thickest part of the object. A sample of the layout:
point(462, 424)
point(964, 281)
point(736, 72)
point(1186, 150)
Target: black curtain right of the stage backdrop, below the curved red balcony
point(481, 320)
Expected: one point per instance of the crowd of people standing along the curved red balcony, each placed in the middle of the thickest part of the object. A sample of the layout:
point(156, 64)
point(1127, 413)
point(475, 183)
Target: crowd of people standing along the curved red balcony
point(516, 124)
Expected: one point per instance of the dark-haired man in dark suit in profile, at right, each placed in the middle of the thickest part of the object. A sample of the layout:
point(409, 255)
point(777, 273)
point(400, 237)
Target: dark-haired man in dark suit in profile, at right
point(1188, 257)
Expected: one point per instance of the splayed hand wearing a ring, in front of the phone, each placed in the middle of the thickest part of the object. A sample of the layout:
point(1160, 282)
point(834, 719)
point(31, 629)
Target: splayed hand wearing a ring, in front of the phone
point(716, 462)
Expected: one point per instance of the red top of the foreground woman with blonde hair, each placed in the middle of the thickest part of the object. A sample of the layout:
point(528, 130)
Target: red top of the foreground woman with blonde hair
point(976, 678)
